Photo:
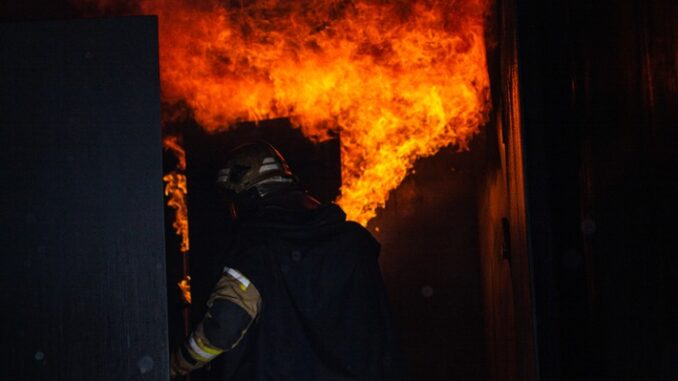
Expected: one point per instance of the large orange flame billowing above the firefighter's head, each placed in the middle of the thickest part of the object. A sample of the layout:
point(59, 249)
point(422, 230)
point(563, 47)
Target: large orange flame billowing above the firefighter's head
point(398, 80)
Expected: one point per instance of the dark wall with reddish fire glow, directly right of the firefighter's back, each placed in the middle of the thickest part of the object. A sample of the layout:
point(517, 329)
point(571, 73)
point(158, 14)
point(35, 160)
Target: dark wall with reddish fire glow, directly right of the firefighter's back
point(431, 267)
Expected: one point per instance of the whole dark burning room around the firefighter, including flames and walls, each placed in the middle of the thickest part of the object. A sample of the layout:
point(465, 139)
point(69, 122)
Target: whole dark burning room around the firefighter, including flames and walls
point(515, 160)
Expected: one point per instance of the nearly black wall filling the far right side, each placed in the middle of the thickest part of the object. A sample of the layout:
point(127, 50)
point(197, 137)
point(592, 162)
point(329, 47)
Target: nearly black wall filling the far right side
point(599, 90)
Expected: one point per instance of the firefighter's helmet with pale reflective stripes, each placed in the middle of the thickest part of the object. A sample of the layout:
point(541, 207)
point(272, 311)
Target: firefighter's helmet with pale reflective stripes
point(252, 165)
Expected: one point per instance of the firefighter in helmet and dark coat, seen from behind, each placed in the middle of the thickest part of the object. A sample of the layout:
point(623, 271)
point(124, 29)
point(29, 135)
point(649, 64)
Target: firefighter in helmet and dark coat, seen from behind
point(300, 295)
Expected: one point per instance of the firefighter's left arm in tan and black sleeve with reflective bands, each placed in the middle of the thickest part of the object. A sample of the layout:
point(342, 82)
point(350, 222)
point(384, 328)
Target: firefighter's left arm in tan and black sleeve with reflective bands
point(232, 307)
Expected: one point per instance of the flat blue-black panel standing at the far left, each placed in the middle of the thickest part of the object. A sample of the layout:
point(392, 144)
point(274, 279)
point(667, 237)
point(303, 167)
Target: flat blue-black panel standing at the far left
point(81, 228)
